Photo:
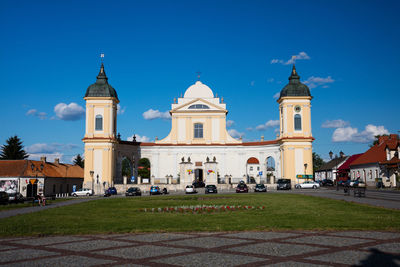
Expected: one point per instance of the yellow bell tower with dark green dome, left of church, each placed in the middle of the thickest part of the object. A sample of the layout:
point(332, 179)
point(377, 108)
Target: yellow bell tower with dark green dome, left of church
point(100, 134)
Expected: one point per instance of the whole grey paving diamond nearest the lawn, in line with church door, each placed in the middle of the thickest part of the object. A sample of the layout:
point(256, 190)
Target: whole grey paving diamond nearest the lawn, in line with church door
point(207, 242)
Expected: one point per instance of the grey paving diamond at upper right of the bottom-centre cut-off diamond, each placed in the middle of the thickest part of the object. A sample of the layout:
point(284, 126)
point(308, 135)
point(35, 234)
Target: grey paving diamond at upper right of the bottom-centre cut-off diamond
point(275, 249)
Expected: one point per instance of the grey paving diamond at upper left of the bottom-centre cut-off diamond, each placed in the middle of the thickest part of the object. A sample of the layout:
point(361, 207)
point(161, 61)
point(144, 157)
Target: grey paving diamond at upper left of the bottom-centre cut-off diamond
point(141, 252)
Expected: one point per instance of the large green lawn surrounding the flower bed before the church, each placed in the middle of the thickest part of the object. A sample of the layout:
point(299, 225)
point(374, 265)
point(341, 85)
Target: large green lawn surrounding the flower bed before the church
point(282, 212)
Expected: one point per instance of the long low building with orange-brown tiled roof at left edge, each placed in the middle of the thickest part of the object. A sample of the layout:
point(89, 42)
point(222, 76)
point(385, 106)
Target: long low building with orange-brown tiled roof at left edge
point(31, 177)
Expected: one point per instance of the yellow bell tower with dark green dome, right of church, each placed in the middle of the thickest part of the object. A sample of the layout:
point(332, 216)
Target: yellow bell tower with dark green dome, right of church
point(295, 135)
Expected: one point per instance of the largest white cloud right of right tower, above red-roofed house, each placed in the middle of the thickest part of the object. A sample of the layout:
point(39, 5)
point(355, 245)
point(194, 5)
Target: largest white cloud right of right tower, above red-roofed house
point(349, 134)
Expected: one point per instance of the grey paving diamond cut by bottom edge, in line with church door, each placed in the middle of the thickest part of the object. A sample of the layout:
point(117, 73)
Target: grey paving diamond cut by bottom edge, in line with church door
point(209, 259)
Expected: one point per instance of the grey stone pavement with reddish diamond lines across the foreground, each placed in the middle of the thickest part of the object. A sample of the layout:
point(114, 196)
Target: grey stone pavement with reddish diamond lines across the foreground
point(284, 248)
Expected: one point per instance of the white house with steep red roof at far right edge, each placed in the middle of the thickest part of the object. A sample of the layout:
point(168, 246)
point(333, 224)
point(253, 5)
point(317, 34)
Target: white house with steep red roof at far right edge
point(379, 163)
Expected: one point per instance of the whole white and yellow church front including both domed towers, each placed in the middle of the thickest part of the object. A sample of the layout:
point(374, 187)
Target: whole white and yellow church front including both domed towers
point(198, 147)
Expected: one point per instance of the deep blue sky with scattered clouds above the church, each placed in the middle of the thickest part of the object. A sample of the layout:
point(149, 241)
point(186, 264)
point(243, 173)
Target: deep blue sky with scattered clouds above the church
point(49, 55)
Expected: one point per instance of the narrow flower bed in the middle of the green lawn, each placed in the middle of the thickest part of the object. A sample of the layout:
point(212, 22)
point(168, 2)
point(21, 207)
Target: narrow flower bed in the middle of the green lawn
point(201, 209)
